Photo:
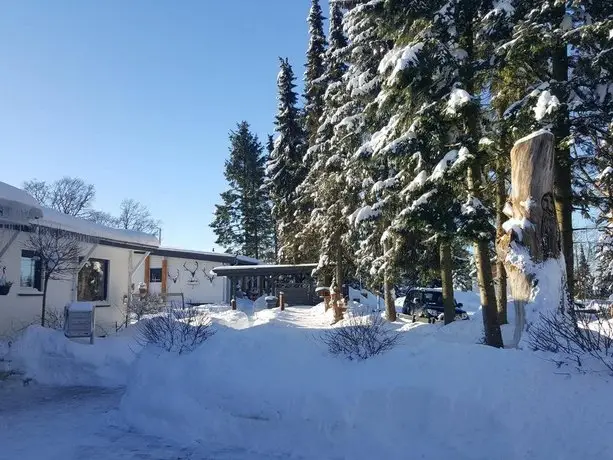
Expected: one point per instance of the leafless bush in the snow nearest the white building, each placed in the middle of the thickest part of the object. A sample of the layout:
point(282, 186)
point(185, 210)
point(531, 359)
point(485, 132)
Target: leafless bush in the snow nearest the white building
point(178, 331)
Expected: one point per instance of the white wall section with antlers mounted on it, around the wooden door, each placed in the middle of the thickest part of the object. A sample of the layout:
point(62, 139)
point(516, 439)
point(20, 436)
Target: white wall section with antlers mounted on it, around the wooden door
point(200, 291)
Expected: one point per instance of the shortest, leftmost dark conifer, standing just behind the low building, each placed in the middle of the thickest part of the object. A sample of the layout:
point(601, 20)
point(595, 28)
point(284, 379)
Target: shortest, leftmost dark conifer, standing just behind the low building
point(243, 222)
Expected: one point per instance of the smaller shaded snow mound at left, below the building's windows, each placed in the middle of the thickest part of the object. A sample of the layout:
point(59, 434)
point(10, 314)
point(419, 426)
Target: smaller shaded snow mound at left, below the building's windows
point(48, 357)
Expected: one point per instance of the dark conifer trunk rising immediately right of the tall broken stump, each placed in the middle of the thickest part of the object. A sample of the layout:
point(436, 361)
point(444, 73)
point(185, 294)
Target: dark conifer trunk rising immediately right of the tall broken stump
point(562, 167)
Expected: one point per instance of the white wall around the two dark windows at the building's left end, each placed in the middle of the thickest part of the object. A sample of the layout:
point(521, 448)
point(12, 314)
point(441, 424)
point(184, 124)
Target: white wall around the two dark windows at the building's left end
point(18, 310)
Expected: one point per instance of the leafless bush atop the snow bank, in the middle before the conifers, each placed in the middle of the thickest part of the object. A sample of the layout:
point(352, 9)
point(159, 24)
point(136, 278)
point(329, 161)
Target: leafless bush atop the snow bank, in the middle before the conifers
point(360, 337)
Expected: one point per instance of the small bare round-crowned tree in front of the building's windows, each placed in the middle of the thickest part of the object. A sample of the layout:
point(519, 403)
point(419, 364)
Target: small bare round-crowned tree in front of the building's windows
point(58, 253)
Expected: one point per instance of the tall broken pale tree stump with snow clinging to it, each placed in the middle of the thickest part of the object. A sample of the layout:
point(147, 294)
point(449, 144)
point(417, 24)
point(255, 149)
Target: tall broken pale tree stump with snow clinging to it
point(532, 237)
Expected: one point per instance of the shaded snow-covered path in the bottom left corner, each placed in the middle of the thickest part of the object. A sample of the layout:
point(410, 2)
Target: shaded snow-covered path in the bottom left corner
point(54, 423)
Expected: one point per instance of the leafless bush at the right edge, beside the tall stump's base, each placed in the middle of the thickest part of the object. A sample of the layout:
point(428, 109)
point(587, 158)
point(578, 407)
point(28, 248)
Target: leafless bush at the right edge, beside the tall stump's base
point(576, 335)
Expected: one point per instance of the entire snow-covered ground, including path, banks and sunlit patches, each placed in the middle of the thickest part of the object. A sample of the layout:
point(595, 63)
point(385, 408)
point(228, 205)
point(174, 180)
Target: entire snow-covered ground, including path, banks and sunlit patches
point(264, 387)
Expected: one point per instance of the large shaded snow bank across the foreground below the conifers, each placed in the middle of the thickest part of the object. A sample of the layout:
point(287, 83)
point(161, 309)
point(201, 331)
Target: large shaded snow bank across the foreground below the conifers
point(277, 391)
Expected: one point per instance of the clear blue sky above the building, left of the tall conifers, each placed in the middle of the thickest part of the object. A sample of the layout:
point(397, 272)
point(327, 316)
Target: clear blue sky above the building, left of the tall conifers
point(137, 97)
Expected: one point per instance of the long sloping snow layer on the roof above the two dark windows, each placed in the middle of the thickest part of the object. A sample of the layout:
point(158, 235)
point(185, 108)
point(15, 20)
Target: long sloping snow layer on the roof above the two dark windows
point(54, 219)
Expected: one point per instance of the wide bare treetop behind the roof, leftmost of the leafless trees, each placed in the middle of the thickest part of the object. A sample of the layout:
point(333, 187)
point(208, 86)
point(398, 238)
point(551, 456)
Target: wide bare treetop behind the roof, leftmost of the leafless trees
point(69, 195)
